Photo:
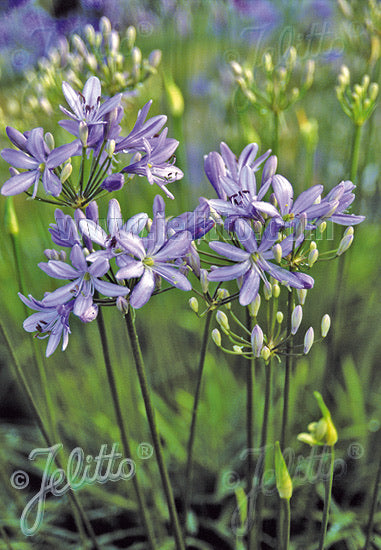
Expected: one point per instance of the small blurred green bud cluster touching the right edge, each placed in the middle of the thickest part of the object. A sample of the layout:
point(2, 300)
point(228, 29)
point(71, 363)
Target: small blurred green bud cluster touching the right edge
point(359, 102)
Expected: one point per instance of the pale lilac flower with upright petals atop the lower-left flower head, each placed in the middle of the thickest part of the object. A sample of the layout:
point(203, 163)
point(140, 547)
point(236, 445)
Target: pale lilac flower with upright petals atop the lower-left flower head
point(109, 240)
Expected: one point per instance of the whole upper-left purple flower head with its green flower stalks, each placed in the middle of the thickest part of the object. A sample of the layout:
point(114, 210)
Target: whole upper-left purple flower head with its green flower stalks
point(96, 127)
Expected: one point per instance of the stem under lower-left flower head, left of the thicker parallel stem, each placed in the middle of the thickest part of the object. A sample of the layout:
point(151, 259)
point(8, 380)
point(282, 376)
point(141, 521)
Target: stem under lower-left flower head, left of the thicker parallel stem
point(122, 427)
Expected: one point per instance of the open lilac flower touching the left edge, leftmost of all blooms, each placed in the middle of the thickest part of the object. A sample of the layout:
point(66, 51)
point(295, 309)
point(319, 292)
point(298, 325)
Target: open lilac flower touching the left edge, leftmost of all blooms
point(39, 162)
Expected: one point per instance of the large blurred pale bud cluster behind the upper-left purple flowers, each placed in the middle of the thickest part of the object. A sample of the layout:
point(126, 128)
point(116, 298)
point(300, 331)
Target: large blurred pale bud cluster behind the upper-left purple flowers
point(114, 59)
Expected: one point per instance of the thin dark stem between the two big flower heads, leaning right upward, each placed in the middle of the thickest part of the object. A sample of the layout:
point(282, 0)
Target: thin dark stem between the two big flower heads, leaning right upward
point(192, 432)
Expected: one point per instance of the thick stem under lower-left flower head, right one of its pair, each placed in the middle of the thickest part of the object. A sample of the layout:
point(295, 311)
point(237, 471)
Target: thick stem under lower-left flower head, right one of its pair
point(140, 368)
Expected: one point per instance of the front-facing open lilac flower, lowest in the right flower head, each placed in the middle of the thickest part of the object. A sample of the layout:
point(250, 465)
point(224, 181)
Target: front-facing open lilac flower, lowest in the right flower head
point(253, 262)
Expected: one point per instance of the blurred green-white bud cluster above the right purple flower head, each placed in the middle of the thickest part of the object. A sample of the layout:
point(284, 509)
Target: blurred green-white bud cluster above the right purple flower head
point(275, 92)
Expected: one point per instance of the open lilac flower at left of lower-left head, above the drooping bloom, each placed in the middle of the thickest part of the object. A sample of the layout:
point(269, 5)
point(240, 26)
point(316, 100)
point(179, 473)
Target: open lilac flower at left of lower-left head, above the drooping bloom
point(85, 279)
